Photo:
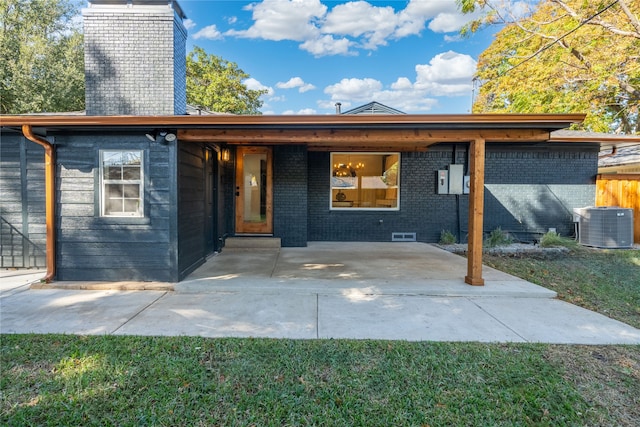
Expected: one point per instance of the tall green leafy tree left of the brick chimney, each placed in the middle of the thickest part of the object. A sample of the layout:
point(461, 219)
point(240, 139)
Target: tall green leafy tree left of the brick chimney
point(41, 56)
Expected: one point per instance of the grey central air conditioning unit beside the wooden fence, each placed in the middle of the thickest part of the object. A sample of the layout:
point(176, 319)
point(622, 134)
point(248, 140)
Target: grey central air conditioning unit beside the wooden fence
point(604, 227)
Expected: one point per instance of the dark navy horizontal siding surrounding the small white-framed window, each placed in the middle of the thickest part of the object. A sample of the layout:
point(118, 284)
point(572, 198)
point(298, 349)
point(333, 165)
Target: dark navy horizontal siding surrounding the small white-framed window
point(93, 248)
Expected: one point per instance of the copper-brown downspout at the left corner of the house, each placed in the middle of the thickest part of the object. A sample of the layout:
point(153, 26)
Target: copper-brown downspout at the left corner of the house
point(50, 200)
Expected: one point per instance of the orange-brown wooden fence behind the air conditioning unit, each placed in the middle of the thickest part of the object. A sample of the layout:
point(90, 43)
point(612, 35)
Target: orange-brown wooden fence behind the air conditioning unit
point(621, 190)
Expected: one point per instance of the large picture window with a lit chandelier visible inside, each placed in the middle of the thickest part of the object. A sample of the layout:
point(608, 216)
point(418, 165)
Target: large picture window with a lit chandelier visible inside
point(365, 181)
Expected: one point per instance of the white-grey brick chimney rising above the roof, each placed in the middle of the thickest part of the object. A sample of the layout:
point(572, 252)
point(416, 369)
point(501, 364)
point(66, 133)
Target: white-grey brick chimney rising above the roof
point(135, 57)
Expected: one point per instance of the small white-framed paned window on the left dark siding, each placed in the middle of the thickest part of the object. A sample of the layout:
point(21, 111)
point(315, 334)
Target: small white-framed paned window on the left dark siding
point(121, 176)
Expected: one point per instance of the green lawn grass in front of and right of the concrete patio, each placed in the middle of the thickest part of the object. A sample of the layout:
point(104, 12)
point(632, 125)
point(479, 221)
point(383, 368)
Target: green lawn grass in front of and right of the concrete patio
point(62, 380)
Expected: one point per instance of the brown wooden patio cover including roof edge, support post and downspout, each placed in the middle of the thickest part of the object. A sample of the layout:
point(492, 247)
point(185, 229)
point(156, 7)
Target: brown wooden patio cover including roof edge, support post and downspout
point(404, 133)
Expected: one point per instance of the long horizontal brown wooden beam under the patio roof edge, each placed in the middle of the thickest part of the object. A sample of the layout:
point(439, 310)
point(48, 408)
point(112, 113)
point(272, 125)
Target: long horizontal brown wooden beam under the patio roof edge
point(357, 136)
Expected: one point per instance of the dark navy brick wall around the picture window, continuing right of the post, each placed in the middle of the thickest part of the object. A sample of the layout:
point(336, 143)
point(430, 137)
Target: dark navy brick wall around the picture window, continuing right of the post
point(527, 191)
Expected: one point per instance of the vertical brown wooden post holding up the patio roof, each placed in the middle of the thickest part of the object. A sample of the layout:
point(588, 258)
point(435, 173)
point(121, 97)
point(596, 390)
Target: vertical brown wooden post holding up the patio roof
point(476, 213)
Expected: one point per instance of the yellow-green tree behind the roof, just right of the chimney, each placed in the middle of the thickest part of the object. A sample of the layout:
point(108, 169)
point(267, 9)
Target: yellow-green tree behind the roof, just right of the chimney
point(216, 84)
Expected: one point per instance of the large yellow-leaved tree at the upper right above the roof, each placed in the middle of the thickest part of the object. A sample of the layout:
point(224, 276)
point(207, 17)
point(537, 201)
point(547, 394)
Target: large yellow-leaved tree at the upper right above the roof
point(562, 57)
